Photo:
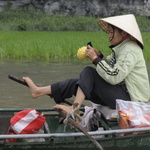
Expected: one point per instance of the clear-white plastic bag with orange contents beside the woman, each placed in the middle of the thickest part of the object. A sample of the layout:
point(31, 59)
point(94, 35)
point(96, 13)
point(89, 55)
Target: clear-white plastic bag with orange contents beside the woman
point(133, 114)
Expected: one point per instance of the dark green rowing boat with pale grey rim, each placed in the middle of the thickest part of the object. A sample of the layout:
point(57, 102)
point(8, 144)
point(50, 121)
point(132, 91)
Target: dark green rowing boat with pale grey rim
point(53, 135)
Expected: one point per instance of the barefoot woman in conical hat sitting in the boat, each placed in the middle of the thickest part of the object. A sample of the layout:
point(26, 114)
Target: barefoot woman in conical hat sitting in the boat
point(121, 75)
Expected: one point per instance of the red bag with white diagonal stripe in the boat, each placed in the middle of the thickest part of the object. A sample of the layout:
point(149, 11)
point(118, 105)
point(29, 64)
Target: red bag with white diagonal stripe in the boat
point(27, 122)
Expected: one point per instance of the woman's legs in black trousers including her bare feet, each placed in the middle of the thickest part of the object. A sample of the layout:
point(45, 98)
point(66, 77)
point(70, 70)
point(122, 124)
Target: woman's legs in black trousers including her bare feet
point(90, 86)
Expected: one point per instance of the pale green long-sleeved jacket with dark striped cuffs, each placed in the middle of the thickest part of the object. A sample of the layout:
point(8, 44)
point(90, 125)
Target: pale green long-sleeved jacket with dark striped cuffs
point(129, 67)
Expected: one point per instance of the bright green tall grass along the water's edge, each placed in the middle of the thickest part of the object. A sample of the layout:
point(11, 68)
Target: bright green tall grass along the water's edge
point(32, 45)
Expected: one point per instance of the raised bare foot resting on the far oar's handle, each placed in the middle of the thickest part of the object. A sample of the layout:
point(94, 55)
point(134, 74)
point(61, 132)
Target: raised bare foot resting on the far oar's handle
point(33, 88)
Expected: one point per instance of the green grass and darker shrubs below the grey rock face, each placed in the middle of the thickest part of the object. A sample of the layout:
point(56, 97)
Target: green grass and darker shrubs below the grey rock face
point(34, 35)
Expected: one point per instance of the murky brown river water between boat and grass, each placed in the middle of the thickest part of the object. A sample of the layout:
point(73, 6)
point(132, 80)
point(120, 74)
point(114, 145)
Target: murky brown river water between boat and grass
point(14, 95)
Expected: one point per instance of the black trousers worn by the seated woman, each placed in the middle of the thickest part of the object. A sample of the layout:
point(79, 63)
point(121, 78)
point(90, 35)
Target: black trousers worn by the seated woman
point(95, 88)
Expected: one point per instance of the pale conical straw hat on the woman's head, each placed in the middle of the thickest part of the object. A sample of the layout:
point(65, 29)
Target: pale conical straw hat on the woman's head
point(125, 22)
